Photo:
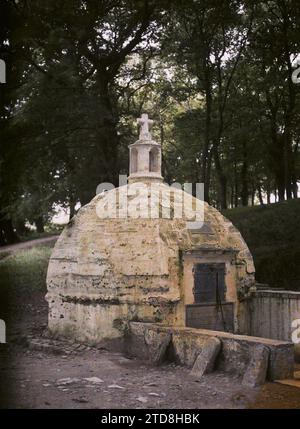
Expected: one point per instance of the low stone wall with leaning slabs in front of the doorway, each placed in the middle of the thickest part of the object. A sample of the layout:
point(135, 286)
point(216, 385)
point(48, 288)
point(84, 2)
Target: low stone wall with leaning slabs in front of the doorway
point(234, 357)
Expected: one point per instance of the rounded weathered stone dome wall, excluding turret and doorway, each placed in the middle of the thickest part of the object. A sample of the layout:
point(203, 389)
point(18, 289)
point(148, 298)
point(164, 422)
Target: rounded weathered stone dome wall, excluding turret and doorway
point(105, 271)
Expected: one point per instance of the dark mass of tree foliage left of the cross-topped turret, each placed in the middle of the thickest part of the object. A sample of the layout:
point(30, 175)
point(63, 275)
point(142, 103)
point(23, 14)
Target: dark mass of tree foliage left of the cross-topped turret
point(60, 123)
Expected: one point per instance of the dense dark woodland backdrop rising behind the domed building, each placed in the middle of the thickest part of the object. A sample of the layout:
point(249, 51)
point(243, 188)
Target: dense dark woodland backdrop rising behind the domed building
point(215, 75)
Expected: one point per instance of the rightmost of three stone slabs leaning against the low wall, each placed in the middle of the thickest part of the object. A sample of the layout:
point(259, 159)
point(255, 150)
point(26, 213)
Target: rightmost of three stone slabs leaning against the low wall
point(256, 371)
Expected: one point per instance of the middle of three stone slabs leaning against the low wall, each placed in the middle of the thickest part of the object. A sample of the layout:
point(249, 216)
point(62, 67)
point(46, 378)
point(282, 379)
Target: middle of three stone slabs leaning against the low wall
point(205, 361)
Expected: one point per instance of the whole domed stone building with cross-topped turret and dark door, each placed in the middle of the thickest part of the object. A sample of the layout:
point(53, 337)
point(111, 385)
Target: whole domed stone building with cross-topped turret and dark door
point(132, 255)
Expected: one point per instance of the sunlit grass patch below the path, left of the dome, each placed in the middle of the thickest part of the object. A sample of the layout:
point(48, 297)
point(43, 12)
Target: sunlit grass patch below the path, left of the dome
point(25, 271)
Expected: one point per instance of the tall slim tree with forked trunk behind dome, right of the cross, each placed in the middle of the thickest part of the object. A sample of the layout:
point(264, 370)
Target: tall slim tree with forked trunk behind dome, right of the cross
point(208, 40)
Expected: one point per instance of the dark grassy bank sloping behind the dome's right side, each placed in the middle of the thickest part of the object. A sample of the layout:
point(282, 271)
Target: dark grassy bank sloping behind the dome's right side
point(273, 236)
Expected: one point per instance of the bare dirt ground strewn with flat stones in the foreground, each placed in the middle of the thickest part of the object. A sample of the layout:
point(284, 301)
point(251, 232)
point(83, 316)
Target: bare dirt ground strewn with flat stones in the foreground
point(101, 379)
